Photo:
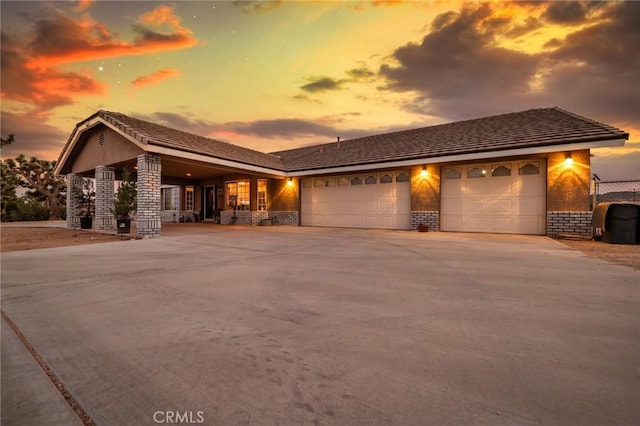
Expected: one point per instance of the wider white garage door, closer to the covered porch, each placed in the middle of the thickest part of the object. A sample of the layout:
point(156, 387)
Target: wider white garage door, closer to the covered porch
point(372, 200)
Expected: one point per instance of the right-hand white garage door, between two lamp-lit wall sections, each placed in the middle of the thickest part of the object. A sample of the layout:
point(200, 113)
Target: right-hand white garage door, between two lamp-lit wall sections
point(505, 197)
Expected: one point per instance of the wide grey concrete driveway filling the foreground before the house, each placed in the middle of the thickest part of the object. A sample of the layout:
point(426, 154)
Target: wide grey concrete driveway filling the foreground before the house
point(294, 326)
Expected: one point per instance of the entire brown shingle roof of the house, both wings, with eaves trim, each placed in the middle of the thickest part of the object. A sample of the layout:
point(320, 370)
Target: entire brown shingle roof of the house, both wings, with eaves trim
point(525, 129)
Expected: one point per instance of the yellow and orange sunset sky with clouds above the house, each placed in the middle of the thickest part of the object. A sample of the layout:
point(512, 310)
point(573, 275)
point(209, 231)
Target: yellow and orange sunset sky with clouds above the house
point(273, 75)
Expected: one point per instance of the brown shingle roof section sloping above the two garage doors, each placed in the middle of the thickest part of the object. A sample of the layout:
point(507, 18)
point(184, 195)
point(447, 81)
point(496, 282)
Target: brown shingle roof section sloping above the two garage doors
point(531, 128)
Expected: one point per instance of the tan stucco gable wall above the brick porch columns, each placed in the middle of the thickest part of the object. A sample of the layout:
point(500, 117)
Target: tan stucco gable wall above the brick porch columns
point(103, 147)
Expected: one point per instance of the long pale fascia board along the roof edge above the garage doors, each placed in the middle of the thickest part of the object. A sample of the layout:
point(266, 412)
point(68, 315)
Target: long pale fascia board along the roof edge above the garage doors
point(460, 157)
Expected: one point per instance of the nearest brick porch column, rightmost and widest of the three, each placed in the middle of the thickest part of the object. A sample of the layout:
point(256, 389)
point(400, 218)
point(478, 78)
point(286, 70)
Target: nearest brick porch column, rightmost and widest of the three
point(149, 194)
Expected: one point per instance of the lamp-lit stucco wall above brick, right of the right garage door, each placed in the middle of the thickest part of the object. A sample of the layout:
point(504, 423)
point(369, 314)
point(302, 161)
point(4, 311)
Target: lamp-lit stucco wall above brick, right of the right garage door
point(568, 186)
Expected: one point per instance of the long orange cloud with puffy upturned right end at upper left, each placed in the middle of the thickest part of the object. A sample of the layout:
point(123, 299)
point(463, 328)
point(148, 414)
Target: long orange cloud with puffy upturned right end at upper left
point(63, 40)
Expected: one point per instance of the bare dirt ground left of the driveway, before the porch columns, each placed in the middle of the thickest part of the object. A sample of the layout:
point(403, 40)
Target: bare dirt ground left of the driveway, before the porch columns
point(13, 239)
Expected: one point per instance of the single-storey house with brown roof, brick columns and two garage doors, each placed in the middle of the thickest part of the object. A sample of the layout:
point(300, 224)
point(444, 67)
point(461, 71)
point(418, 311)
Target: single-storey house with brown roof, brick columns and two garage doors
point(525, 172)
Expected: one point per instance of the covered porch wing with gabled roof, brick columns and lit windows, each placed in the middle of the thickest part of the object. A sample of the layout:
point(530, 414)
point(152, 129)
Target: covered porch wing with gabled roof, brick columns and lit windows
point(178, 180)
